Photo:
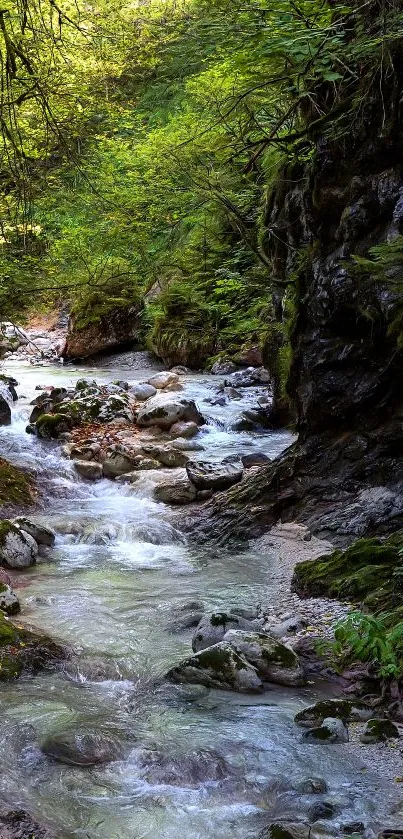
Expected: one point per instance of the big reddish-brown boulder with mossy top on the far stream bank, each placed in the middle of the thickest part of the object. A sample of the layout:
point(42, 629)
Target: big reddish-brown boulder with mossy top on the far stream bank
point(116, 328)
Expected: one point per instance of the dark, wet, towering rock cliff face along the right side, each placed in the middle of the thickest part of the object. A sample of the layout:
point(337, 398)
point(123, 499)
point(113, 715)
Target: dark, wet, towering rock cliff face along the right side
point(344, 476)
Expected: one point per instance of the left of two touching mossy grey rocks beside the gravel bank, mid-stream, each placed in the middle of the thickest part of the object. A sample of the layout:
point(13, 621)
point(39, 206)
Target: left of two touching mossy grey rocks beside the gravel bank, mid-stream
point(219, 666)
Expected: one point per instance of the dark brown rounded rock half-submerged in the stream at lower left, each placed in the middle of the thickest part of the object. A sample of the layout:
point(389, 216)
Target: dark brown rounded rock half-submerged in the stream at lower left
point(88, 748)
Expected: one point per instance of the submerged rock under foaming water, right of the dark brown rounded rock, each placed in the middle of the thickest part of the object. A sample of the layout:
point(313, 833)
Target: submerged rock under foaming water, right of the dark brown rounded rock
point(189, 770)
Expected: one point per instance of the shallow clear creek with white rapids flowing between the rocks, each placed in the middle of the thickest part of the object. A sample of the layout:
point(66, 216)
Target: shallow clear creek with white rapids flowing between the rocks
point(119, 572)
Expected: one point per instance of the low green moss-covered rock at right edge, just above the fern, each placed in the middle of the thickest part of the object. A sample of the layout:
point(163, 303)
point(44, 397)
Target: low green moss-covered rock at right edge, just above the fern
point(369, 572)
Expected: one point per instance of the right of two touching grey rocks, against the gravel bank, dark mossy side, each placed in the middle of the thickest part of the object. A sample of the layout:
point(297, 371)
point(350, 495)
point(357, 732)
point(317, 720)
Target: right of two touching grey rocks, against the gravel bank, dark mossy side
point(273, 661)
